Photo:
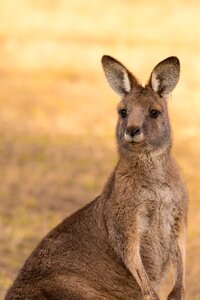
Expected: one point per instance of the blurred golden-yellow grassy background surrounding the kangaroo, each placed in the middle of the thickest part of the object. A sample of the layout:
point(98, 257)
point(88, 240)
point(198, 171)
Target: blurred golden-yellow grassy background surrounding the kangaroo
point(57, 113)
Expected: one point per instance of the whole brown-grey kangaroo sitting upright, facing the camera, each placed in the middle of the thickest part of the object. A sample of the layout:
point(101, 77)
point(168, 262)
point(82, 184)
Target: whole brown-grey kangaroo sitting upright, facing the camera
point(120, 245)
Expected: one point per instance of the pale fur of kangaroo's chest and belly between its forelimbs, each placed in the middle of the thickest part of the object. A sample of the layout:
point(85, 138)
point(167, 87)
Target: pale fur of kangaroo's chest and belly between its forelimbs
point(156, 219)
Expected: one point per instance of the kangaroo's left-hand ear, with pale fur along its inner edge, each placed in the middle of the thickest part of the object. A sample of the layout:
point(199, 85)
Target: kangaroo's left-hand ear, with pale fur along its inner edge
point(119, 78)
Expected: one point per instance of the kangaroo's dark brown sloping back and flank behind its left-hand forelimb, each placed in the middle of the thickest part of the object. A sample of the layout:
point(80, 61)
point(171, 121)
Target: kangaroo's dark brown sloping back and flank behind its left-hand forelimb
point(75, 261)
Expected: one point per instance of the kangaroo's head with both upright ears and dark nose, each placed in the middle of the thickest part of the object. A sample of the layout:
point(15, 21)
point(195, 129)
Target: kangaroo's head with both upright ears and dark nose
point(143, 124)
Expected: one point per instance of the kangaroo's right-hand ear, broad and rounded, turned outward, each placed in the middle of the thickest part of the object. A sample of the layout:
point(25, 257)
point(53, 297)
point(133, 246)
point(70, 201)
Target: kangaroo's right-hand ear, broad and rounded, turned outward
point(165, 76)
